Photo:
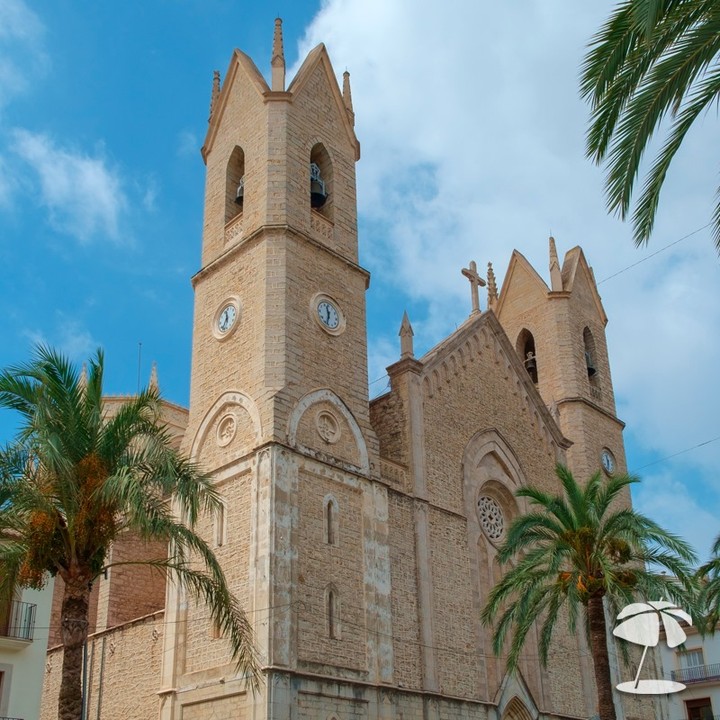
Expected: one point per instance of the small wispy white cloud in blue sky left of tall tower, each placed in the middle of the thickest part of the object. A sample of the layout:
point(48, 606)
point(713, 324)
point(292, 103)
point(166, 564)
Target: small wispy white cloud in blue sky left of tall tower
point(84, 196)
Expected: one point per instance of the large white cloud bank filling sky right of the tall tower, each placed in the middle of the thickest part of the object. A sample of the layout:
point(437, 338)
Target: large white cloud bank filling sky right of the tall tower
point(472, 134)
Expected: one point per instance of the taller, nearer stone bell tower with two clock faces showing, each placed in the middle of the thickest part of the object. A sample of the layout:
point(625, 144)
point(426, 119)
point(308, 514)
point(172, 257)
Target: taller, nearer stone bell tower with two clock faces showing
point(279, 411)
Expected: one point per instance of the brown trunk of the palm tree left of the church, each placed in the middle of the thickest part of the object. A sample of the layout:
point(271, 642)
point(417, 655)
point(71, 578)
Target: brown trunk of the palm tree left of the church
point(74, 627)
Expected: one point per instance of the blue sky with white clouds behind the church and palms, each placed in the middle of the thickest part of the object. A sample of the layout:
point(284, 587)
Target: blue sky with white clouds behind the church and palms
point(472, 138)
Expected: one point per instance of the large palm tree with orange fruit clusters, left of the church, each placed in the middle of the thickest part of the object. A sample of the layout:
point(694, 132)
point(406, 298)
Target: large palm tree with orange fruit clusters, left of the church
point(74, 479)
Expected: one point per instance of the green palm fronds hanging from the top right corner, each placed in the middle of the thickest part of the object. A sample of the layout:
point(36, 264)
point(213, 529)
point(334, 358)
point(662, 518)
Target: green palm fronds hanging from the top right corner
point(651, 59)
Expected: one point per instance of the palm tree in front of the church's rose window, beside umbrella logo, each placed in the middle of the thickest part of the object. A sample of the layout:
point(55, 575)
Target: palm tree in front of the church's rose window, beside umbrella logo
point(581, 552)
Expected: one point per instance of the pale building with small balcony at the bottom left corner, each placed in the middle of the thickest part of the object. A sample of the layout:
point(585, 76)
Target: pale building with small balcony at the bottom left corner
point(23, 643)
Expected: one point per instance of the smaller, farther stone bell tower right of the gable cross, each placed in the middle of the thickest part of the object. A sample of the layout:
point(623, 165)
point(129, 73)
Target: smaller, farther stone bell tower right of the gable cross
point(559, 333)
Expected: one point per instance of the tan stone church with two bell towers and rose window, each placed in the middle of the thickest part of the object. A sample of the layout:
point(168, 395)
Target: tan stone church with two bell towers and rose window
point(360, 536)
